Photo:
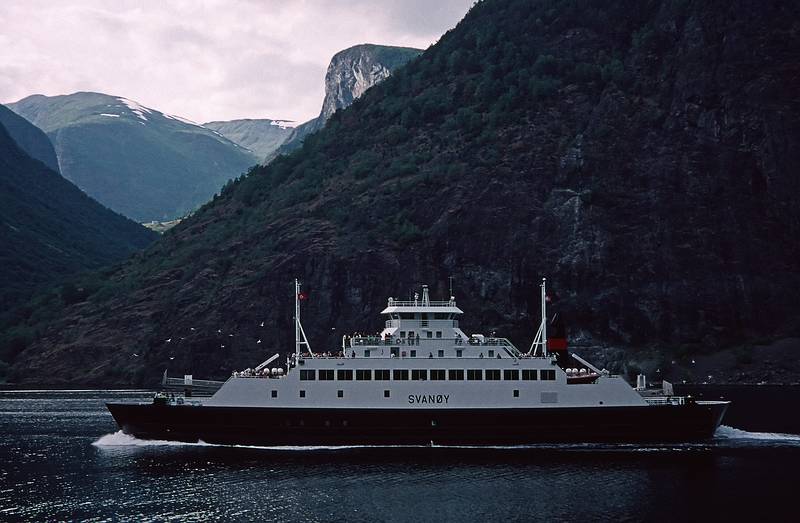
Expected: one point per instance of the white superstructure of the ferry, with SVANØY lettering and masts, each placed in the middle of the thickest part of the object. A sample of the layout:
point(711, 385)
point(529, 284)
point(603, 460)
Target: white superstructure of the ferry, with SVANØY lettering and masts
point(422, 359)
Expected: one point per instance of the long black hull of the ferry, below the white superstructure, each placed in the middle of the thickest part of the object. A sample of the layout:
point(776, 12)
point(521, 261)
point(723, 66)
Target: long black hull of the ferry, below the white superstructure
point(331, 427)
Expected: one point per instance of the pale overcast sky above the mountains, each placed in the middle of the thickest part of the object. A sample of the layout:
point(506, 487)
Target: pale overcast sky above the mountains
point(203, 60)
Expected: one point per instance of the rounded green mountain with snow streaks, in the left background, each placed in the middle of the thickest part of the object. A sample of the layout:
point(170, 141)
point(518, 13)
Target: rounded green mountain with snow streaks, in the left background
point(138, 161)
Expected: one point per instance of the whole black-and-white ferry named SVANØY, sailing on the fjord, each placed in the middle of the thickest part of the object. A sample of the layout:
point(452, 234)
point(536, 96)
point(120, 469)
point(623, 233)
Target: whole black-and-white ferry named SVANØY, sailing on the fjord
point(423, 381)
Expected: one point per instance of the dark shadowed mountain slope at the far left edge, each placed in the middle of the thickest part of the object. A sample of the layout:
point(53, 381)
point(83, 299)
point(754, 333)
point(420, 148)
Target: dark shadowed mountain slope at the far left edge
point(49, 228)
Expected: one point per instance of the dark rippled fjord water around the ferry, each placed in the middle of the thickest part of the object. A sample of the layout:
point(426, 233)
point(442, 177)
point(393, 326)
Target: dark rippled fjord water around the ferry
point(62, 458)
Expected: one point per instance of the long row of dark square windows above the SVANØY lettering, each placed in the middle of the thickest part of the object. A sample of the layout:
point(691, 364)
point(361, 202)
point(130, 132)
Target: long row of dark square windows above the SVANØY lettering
point(425, 374)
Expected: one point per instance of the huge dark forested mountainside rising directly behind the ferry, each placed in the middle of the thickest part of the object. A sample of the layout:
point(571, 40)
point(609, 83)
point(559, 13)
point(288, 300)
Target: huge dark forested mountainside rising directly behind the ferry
point(642, 155)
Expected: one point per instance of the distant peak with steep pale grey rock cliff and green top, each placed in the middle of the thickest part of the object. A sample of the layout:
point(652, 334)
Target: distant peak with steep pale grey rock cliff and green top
point(350, 73)
